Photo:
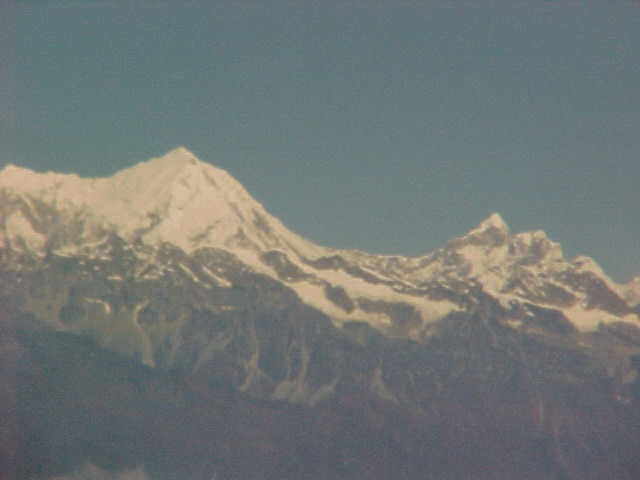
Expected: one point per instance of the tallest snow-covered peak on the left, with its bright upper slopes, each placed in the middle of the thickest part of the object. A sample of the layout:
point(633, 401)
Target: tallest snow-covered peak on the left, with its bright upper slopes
point(175, 198)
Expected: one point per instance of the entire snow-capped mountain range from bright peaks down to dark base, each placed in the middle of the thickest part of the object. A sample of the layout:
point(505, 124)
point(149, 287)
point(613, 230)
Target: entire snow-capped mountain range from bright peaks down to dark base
point(168, 292)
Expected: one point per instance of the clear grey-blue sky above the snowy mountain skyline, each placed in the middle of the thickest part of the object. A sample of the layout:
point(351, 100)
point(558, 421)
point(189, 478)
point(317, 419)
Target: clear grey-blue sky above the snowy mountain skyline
point(385, 125)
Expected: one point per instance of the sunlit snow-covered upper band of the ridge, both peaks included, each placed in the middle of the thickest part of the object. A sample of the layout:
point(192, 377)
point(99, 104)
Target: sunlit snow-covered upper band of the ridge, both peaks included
point(178, 199)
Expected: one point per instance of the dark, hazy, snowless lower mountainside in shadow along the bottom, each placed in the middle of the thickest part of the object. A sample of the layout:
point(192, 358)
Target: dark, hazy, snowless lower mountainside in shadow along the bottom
point(487, 417)
